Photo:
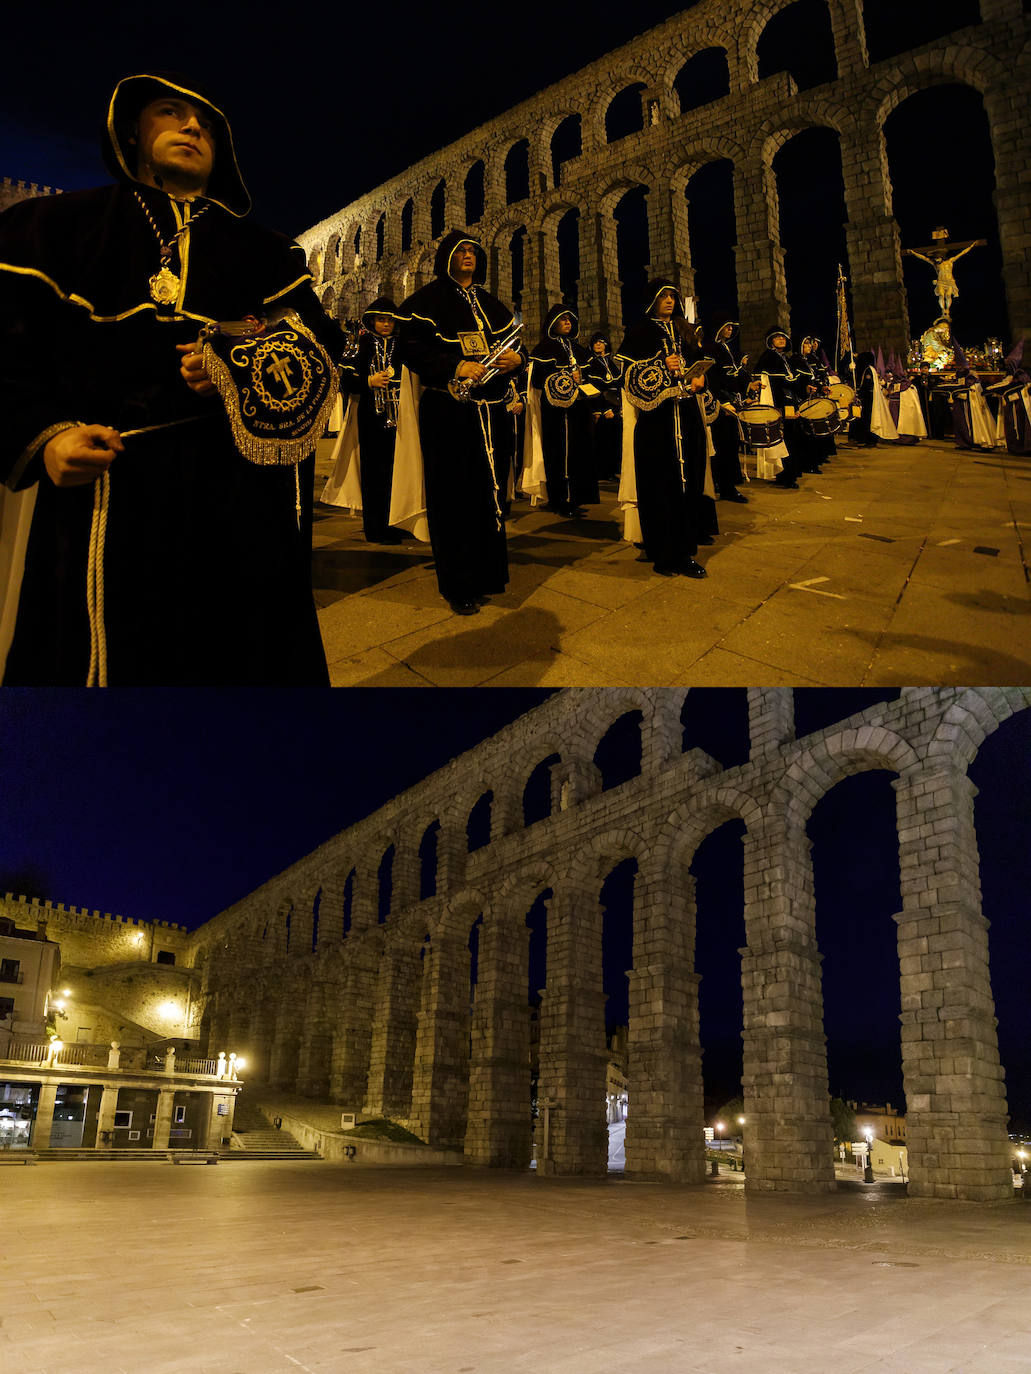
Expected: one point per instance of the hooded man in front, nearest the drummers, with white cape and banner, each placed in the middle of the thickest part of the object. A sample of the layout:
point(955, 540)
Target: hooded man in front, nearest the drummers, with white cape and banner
point(666, 477)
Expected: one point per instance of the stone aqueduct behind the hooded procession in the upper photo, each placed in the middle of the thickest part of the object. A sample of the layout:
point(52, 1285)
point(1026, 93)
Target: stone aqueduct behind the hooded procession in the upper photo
point(384, 243)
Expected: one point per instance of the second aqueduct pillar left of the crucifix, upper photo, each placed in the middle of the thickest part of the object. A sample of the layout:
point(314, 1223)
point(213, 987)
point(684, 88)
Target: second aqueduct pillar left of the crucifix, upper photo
point(761, 284)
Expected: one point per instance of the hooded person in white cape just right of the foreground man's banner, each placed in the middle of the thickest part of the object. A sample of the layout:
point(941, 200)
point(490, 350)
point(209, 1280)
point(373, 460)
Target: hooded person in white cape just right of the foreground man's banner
point(366, 442)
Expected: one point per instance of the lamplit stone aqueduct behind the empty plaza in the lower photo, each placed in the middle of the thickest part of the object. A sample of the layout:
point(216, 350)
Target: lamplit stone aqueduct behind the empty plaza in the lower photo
point(331, 994)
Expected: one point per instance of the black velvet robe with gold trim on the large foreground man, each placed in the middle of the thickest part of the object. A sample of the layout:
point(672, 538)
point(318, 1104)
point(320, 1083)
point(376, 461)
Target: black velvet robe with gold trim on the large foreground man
point(207, 576)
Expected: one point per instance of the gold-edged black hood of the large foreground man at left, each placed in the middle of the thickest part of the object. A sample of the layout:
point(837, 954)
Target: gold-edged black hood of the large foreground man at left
point(226, 186)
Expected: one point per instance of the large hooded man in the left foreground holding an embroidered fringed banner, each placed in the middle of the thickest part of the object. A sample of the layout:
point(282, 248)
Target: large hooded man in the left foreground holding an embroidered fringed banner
point(157, 553)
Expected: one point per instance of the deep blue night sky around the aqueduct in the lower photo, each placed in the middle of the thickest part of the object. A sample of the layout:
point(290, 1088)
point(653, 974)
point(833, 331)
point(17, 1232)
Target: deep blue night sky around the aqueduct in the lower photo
point(174, 804)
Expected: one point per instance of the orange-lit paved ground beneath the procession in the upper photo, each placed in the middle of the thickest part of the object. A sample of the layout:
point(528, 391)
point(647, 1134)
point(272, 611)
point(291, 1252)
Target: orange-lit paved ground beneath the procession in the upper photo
point(896, 565)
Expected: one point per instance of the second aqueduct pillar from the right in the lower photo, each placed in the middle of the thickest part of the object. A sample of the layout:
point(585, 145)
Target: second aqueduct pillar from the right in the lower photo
point(790, 1141)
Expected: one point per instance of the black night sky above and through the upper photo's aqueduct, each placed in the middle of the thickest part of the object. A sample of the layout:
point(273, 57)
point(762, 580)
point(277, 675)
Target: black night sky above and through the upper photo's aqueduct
point(358, 95)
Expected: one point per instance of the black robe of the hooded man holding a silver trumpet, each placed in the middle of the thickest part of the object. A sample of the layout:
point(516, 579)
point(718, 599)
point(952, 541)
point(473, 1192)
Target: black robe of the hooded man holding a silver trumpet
point(467, 447)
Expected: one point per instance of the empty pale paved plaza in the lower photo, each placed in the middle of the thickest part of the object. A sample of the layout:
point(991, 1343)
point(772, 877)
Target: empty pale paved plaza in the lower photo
point(259, 1268)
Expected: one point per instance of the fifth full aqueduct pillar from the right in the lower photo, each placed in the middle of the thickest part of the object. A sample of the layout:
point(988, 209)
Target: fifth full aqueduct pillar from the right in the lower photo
point(500, 1078)
